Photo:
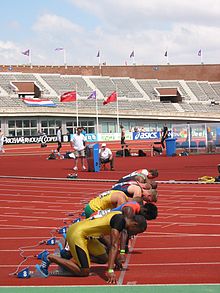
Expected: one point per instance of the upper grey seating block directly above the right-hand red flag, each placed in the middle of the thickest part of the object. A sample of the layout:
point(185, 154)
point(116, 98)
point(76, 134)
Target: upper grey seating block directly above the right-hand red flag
point(105, 85)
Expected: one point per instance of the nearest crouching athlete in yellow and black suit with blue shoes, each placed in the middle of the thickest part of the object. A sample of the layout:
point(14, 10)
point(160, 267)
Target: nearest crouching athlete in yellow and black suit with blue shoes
point(82, 238)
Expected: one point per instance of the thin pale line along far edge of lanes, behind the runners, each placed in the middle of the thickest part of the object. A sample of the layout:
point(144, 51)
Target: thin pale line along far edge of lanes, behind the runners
point(104, 180)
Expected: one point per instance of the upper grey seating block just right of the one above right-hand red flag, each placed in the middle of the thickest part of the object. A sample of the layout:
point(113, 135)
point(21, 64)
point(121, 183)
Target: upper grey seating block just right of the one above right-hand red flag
point(125, 86)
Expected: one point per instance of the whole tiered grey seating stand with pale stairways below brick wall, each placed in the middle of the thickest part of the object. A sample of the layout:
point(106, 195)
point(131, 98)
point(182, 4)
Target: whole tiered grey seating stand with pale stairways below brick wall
point(135, 95)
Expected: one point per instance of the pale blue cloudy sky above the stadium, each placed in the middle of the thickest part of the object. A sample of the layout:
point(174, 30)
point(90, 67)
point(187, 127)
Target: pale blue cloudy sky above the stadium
point(115, 27)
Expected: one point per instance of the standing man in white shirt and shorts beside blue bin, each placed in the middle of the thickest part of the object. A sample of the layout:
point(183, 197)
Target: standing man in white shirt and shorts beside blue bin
point(78, 144)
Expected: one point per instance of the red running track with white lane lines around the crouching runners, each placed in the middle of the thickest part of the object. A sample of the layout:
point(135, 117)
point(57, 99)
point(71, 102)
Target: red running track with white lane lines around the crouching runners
point(181, 247)
